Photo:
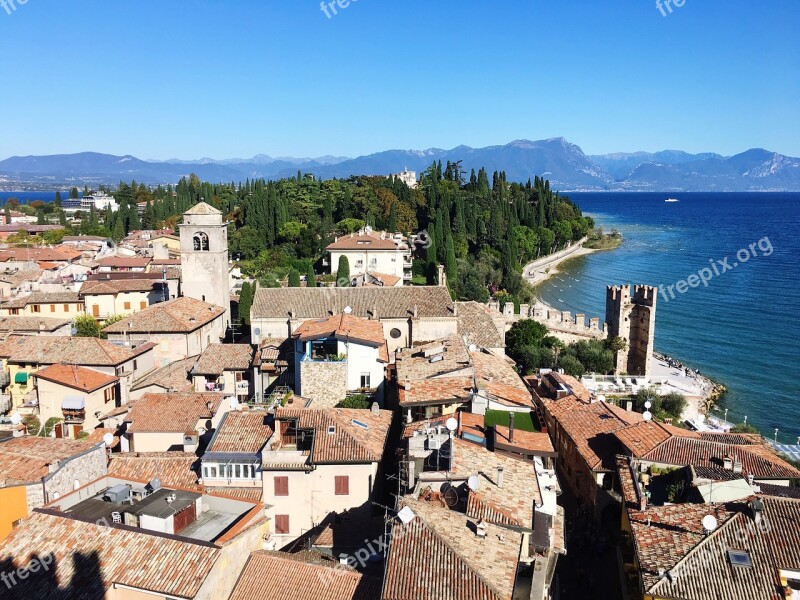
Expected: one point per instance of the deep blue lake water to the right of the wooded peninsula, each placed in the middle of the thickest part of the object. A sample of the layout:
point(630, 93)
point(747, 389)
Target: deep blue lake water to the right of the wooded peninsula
point(743, 328)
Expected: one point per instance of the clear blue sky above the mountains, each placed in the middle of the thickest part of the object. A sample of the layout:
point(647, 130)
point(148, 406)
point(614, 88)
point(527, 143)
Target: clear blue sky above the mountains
point(163, 79)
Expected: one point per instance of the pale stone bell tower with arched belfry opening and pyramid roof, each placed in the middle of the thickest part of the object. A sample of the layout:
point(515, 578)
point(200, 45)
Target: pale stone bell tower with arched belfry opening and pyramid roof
point(204, 257)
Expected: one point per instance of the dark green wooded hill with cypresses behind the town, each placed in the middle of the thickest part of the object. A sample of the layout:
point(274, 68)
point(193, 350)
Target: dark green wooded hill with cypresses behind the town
point(482, 230)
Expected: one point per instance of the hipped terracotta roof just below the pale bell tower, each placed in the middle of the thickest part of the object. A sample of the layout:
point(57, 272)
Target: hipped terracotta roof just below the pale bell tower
point(181, 315)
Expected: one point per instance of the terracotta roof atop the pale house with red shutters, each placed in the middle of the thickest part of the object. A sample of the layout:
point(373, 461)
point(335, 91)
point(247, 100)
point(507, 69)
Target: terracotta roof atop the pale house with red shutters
point(350, 443)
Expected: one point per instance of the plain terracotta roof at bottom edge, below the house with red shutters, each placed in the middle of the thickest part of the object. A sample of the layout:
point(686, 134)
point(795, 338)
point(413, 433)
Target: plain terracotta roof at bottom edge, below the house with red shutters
point(312, 576)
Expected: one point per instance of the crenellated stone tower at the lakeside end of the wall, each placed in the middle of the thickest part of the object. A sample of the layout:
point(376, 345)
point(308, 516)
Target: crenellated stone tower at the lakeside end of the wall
point(632, 318)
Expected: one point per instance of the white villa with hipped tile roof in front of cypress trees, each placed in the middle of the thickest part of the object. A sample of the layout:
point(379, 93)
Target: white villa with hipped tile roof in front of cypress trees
point(371, 252)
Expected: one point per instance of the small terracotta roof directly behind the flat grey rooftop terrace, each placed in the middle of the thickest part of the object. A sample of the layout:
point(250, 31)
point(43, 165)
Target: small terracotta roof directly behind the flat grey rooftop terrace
point(174, 469)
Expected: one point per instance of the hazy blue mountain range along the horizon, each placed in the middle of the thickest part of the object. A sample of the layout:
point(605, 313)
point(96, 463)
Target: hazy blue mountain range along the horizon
point(563, 163)
